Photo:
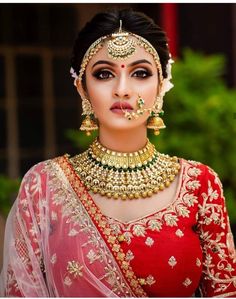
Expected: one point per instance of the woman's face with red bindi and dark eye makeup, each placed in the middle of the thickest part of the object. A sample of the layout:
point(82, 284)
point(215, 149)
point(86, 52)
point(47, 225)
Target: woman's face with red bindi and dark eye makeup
point(112, 82)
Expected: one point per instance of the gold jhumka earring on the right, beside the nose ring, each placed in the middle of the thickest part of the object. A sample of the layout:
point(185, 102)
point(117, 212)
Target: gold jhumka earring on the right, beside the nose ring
point(155, 122)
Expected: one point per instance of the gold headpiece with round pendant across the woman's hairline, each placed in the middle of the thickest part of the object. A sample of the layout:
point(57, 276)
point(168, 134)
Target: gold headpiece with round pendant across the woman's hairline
point(120, 45)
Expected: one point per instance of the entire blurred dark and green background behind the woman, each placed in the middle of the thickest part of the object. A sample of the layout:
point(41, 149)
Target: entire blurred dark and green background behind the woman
point(40, 111)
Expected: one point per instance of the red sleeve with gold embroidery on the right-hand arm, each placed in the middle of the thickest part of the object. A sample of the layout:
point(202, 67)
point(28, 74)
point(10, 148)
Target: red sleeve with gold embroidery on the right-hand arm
point(219, 257)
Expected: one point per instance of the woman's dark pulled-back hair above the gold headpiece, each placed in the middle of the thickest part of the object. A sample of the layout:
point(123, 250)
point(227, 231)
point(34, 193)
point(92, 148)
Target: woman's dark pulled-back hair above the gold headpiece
point(108, 22)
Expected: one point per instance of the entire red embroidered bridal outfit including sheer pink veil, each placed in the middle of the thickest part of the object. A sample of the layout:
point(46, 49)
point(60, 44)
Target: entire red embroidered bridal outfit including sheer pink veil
point(59, 244)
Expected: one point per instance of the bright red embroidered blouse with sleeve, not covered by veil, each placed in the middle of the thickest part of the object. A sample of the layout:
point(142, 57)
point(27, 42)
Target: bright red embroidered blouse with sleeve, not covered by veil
point(186, 244)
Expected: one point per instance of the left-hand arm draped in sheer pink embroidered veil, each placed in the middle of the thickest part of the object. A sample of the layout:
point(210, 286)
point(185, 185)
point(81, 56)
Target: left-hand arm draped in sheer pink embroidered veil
point(22, 274)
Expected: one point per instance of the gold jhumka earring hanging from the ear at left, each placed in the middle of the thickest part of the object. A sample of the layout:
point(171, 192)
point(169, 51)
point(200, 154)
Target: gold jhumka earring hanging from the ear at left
point(88, 124)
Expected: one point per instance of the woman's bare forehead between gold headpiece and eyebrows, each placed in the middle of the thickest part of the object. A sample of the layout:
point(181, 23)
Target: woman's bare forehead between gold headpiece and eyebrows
point(139, 54)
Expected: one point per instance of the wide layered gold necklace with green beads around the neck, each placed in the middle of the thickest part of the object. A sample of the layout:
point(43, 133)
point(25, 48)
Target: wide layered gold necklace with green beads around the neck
point(125, 175)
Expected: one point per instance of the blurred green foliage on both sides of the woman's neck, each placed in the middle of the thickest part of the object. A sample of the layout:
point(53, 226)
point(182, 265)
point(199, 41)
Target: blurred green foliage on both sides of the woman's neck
point(200, 115)
